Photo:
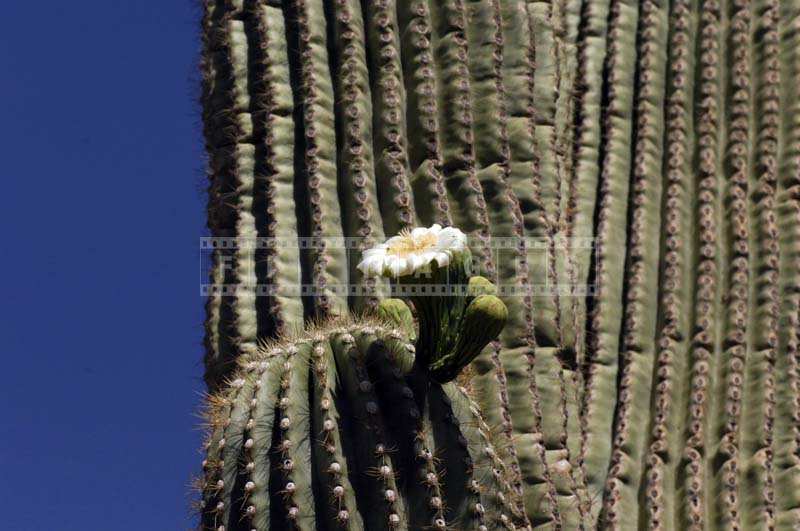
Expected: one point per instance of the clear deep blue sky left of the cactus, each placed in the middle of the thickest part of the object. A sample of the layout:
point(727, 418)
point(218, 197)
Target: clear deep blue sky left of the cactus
point(102, 207)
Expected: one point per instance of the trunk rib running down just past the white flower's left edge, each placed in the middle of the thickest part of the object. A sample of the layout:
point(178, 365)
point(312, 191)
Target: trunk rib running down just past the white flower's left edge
point(356, 169)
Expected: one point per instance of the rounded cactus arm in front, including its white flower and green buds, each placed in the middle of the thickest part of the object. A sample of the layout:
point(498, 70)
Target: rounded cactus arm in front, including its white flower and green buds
point(356, 424)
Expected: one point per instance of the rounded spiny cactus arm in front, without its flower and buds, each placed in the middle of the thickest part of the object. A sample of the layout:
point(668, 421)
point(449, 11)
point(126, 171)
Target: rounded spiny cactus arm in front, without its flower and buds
point(336, 429)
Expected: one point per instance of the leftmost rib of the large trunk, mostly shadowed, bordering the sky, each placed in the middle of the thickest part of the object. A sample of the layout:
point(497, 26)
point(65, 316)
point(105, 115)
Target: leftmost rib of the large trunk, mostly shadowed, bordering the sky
point(231, 166)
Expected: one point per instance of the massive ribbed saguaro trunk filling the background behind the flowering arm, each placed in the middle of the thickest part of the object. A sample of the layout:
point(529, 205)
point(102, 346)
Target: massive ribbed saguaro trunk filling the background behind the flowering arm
point(666, 134)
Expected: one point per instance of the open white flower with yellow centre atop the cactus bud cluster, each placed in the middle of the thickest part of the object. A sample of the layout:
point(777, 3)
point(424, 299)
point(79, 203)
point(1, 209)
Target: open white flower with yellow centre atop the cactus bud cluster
point(414, 251)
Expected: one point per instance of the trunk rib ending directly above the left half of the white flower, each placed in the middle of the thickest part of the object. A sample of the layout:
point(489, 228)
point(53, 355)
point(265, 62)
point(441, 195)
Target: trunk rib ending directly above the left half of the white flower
point(388, 103)
